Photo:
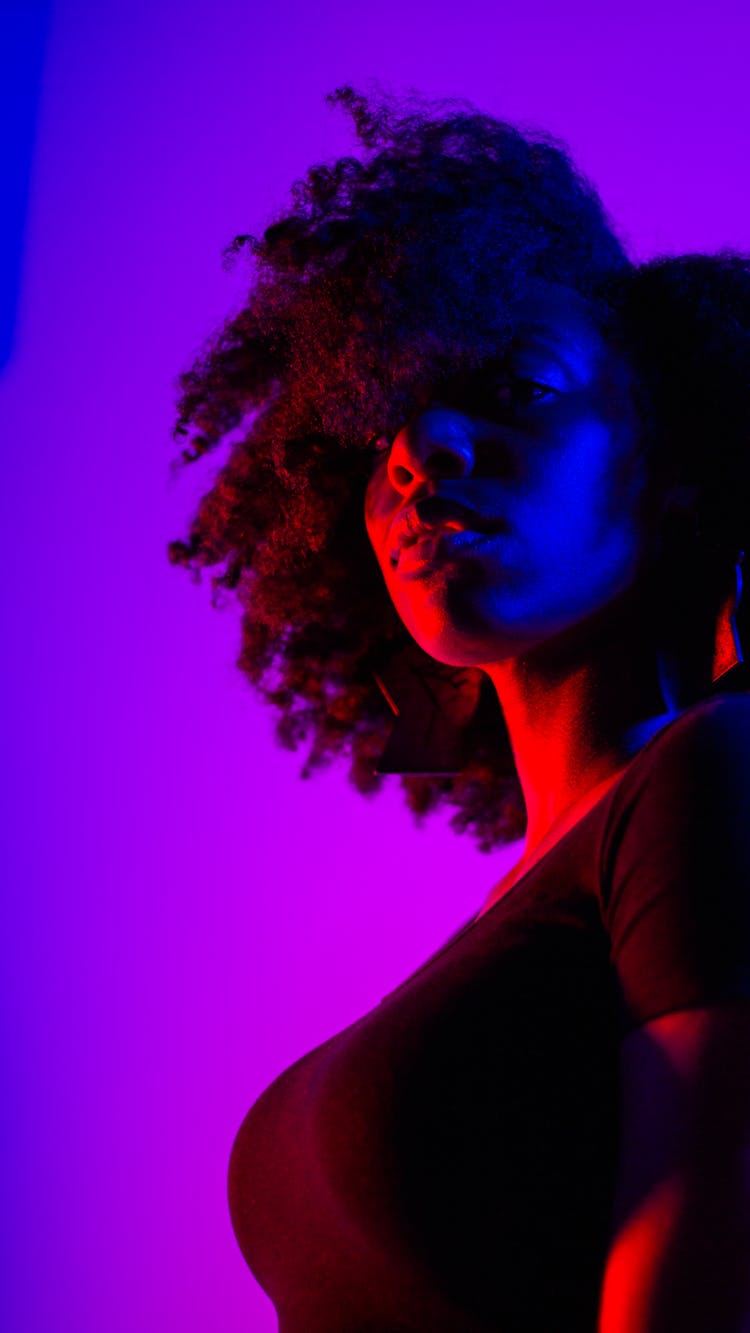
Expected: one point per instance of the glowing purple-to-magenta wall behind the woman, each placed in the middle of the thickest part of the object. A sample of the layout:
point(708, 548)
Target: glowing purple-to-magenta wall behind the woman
point(185, 918)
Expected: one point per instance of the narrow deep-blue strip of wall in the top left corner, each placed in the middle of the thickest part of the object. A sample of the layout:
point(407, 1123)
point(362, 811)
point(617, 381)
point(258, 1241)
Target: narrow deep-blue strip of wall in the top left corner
point(25, 27)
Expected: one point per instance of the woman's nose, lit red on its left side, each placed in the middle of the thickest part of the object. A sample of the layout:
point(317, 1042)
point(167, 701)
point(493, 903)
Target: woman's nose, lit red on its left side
point(435, 443)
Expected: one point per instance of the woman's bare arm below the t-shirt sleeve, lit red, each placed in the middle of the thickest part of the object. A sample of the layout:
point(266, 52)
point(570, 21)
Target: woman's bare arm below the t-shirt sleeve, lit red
point(680, 1246)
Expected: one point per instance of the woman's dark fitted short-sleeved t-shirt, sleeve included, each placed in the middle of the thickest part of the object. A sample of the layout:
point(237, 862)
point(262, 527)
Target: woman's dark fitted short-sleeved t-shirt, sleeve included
point(447, 1163)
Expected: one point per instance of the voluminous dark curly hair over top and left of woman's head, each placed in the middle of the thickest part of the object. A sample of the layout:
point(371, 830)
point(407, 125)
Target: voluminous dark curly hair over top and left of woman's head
point(390, 271)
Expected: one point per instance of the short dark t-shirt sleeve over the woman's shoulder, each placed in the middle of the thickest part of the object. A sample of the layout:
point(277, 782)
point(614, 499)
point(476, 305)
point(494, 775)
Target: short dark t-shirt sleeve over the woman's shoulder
point(676, 867)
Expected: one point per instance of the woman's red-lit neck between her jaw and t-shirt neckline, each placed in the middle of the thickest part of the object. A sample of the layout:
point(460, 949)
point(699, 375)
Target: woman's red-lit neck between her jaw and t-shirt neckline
point(580, 706)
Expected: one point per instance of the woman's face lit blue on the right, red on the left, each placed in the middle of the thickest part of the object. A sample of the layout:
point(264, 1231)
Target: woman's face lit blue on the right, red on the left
point(546, 451)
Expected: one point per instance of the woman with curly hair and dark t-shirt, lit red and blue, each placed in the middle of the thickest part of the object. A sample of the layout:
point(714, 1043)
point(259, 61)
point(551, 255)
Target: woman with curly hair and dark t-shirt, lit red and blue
point(495, 481)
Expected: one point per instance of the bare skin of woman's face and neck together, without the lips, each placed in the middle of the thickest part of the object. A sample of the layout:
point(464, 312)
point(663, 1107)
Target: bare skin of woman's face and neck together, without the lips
point(559, 607)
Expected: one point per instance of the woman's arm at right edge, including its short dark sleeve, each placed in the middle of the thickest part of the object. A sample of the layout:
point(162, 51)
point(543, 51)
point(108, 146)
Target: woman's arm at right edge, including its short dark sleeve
point(676, 904)
